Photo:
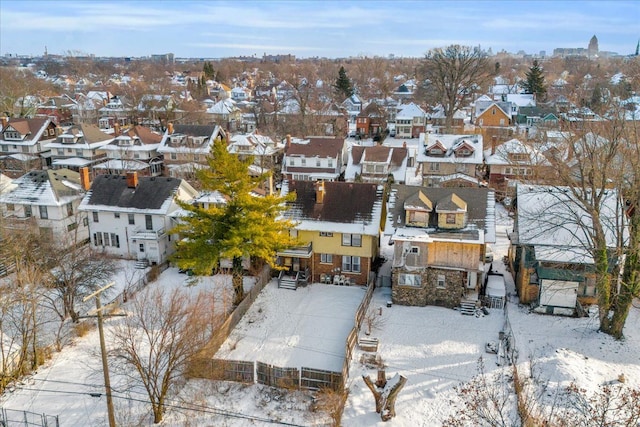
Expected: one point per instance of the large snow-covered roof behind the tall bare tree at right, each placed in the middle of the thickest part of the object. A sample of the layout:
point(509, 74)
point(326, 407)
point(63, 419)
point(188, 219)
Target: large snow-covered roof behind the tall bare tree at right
point(551, 217)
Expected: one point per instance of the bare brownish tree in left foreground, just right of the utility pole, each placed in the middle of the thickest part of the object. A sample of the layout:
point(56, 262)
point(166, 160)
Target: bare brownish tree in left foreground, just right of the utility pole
point(163, 332)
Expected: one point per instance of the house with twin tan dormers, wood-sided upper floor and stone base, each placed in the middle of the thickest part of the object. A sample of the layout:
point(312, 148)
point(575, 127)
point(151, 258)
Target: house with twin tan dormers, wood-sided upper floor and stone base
point(439, 238)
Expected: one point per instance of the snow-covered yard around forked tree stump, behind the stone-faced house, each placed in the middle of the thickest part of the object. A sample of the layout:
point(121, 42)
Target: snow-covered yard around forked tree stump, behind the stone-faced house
point(435, 348)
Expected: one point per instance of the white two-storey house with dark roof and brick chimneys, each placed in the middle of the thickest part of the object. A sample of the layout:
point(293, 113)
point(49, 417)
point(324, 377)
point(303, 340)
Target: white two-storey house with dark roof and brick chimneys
point(130, 216)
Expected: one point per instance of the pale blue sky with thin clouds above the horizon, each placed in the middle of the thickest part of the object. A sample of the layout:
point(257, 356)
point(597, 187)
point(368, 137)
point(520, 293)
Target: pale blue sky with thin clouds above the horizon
point(214, 29)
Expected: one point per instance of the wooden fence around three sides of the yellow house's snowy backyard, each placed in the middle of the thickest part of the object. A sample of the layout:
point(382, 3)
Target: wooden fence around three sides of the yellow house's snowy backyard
point(206, 366)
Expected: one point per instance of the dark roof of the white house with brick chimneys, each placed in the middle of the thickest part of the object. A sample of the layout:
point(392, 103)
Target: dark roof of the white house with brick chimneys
point(152, 193)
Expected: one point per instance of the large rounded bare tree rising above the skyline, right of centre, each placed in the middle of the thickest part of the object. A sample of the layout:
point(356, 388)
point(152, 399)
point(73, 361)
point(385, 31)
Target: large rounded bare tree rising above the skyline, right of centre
point(452, 73)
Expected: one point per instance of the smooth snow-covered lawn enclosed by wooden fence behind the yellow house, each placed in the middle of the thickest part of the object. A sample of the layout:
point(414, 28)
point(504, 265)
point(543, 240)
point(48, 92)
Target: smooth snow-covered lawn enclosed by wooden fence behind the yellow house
point(307, 327)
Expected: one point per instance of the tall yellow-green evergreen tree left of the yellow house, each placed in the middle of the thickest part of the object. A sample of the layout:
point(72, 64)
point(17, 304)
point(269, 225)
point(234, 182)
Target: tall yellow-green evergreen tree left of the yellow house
point(244, 226)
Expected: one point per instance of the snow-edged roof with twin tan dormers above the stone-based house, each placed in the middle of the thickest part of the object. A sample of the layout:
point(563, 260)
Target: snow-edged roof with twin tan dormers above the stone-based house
point(480, 208)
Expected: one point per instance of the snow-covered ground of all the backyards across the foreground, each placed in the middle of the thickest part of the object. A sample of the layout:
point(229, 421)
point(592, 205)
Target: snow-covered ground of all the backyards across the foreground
point(435, 348)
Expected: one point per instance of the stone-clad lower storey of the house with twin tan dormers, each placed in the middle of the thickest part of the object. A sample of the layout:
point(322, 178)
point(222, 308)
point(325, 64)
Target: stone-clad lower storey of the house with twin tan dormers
point(430, 293)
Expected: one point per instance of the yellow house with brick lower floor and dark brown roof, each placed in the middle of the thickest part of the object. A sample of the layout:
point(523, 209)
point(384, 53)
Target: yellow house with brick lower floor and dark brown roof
point(339, 225)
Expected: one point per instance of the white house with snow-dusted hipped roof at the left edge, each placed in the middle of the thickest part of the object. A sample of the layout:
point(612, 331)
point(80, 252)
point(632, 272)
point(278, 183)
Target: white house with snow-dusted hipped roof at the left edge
point(48, 200)
